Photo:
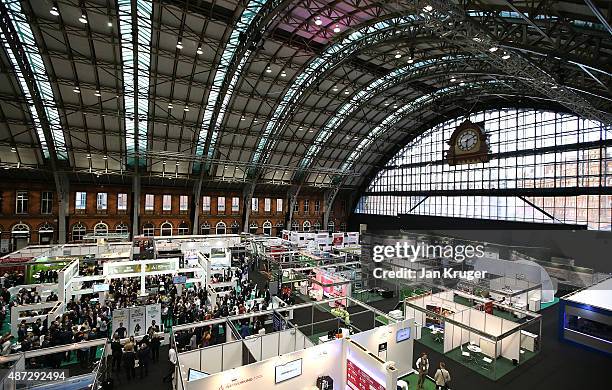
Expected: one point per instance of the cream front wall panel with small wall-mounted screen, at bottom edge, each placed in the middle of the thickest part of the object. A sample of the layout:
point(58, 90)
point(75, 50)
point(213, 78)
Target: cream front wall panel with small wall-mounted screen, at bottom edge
point(324, 359)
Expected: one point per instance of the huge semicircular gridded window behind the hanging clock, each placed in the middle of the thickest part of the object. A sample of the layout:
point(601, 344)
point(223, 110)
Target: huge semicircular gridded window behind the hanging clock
point(533, 153)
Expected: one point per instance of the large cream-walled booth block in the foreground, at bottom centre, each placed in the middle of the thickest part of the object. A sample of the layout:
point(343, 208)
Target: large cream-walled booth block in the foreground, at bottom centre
point(364, 357)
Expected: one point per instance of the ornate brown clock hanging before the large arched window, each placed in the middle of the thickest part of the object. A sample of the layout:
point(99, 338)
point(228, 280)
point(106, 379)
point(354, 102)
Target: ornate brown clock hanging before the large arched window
point(468, 144)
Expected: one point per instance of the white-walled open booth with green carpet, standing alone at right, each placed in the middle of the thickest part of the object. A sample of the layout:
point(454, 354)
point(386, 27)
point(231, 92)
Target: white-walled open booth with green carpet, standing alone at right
point(475, 331)
